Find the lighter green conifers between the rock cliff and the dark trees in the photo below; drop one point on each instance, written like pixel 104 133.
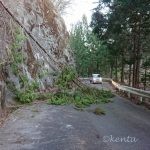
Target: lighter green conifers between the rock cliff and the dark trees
pixel 90 52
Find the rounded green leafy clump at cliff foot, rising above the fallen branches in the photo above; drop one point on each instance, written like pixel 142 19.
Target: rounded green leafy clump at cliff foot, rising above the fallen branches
pixel 65 78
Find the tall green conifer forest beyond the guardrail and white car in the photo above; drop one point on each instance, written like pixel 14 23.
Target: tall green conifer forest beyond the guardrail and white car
pixel 116 44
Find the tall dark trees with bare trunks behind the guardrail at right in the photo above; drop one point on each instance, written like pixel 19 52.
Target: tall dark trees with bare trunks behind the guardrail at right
pixel 124 29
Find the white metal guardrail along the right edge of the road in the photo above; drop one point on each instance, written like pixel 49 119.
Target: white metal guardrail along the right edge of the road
pixel 129 90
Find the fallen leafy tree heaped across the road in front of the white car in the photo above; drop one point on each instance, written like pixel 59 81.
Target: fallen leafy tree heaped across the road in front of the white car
pixel 71 93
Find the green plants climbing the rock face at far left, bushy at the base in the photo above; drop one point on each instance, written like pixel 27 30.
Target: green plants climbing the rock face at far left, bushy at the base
pixel 28 90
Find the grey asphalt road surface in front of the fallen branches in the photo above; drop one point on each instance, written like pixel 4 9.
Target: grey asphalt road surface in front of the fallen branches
pixel 44 127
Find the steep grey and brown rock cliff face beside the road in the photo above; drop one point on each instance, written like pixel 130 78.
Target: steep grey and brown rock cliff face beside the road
pixel 46 37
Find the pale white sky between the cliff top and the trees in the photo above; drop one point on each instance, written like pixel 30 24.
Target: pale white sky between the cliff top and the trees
pixel 77 9
